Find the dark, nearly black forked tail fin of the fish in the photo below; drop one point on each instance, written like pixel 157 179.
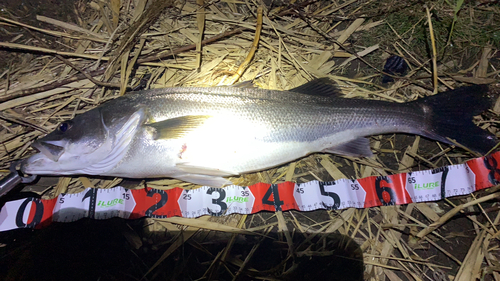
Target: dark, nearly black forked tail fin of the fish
pixel 449 115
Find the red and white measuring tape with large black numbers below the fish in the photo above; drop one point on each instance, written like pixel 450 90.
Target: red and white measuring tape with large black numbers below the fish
pixel 404 188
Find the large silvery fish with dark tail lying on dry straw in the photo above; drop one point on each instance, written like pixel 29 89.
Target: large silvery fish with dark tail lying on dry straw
pixel 204 134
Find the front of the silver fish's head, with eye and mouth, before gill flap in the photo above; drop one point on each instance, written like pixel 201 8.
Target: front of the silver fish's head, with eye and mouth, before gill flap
pixel 73 145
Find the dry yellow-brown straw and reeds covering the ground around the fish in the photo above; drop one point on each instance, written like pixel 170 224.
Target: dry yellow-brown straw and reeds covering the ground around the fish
pixel 116 45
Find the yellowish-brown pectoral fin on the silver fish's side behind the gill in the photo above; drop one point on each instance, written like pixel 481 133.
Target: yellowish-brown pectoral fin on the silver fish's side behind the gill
pixel 176 127
